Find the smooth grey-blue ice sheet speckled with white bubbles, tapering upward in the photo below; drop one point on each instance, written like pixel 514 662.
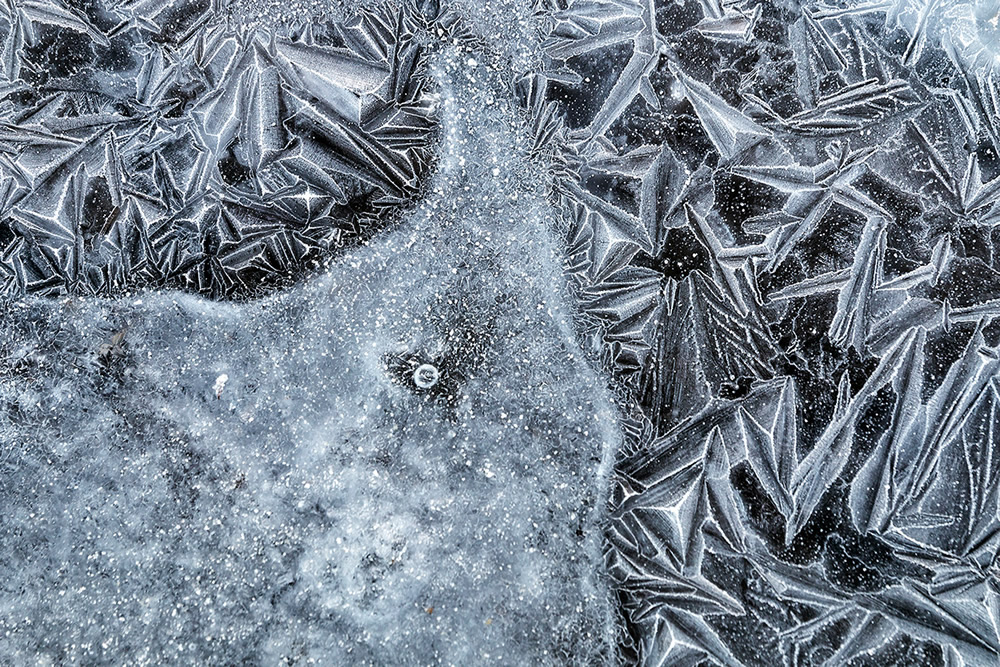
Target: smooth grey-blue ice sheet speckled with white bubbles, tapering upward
pixel 263 483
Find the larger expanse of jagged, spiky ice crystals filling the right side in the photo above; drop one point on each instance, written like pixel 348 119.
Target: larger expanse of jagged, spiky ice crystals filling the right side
pixel 784 216
